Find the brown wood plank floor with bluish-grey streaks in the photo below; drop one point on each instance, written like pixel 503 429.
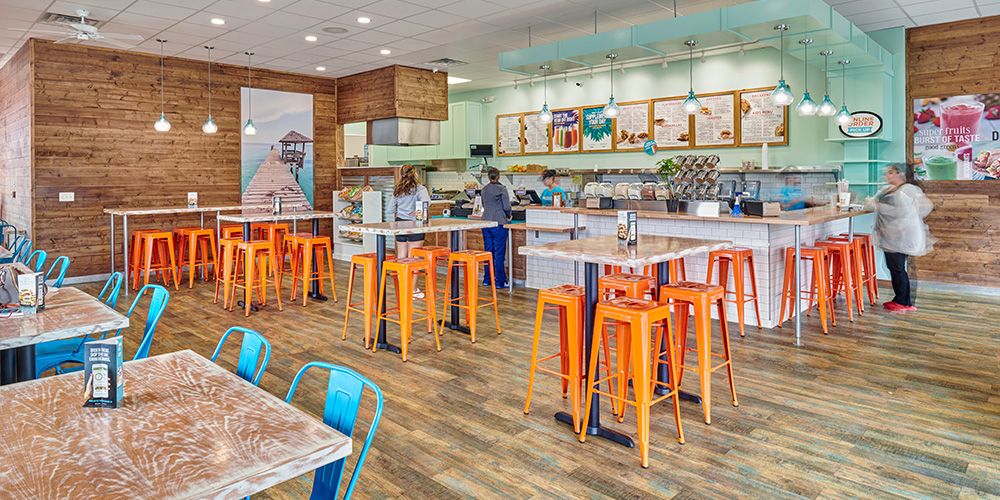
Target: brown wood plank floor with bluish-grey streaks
pixel 892 405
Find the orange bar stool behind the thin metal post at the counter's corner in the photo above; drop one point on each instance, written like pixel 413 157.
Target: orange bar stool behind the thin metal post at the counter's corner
pixel 819 288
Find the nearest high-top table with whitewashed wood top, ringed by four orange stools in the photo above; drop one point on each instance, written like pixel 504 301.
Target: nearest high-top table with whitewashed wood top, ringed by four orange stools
pixel 593 252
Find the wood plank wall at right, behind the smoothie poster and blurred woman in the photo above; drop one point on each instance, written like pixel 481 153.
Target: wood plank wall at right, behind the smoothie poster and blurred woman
pixel 944 60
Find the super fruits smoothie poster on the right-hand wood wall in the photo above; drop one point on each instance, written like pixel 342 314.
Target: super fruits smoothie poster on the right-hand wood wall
pixel 957 137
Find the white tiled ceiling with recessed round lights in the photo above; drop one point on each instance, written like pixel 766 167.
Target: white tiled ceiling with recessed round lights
pixel 416 31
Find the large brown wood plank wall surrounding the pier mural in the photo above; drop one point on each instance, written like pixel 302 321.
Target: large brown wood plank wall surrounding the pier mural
pixel 93 135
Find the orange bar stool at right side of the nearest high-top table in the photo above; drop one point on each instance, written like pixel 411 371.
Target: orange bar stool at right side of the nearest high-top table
pixel 701 296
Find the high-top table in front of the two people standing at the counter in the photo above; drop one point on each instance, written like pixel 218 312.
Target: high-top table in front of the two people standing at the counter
pixel 383 229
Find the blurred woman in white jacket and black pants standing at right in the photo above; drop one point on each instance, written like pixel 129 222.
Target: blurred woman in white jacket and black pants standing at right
pixel 900 230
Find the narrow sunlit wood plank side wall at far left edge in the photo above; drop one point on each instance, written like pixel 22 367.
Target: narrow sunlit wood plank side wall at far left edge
pixel 15 140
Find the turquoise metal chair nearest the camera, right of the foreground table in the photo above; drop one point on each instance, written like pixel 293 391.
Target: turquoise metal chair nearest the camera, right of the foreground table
pixel 343 395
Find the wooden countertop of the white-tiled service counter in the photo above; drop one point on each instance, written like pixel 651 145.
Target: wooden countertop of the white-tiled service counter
pixel 804 217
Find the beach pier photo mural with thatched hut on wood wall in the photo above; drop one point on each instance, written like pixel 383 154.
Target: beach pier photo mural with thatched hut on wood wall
pixel 278 159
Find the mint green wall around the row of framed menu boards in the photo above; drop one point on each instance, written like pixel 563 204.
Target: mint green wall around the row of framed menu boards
pixel 758 68
